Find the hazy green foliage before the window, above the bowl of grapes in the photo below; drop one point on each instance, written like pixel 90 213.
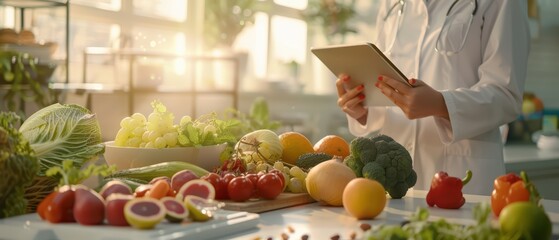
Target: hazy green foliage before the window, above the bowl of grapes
pixel 225 19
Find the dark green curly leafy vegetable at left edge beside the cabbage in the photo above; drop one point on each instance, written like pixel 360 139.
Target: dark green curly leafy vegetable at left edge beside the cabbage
pixel 18 167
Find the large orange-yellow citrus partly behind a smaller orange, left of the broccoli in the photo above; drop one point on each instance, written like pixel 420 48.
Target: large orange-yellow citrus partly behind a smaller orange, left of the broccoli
pixel 326 181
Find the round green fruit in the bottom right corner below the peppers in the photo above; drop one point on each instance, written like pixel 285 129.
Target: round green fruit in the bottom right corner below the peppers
pixel 525 220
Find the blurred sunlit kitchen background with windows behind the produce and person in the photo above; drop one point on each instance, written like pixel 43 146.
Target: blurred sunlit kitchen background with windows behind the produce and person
pixel 116 56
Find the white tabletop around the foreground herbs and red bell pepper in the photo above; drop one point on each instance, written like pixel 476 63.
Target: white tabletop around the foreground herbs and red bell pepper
pixel 323 222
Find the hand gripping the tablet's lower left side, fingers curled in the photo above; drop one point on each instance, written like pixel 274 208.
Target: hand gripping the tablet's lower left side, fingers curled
pixel 351 100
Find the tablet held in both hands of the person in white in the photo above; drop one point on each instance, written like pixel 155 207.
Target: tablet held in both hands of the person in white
pixel 364 62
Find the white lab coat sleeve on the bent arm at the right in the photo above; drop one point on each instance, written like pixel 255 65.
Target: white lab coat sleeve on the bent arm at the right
pixel 497 98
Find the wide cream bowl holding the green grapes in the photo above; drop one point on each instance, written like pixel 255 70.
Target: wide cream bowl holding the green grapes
pixel 206 157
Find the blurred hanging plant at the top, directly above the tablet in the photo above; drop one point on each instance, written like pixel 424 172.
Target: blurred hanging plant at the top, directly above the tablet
pixel 333 16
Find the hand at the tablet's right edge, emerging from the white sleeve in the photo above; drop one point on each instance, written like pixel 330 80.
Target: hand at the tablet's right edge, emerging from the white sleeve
pixel 416 102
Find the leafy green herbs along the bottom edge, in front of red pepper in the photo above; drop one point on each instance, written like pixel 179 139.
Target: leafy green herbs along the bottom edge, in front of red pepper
pixel 420 227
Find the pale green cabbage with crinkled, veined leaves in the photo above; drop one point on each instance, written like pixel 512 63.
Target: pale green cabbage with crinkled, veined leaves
pixel 63 132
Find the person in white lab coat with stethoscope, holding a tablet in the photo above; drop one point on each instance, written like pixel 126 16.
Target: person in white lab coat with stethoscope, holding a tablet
pixel 467 62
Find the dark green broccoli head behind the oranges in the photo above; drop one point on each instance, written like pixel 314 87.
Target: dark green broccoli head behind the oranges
pixel 391 166
